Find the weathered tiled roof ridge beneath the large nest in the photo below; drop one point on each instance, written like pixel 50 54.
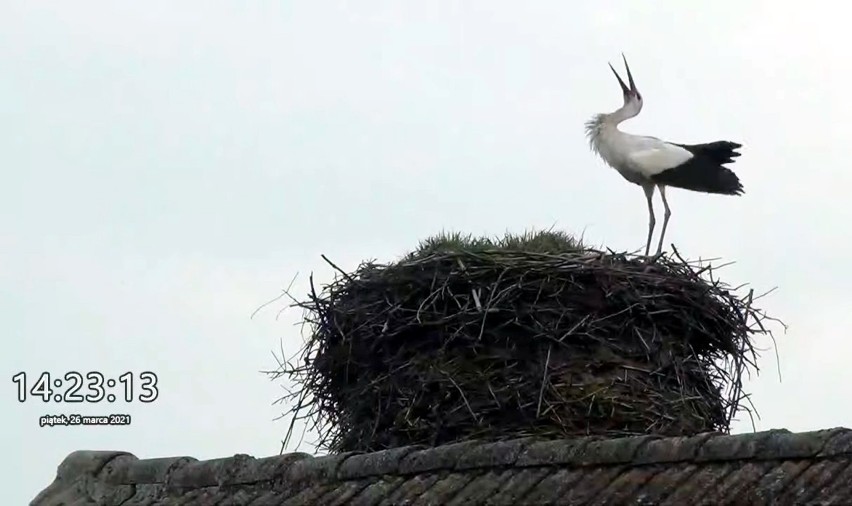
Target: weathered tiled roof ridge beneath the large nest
pixel 773 467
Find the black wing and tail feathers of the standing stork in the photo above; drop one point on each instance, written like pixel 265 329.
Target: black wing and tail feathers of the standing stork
pixel 704 172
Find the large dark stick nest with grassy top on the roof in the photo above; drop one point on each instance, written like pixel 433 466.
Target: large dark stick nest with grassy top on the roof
pixel 529 336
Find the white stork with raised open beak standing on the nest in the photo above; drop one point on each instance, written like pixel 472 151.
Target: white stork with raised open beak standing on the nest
pixel 653 163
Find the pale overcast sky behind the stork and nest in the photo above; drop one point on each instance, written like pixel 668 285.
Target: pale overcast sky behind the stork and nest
pixel 167 167
